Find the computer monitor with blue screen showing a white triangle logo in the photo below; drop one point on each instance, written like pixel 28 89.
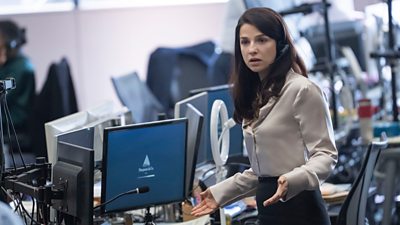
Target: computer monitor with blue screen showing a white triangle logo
pixel 151 154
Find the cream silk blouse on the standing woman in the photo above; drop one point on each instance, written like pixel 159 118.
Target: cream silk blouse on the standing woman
pixel 293 137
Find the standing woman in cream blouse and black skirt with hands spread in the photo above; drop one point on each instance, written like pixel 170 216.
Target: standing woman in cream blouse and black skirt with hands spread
pixel 286 125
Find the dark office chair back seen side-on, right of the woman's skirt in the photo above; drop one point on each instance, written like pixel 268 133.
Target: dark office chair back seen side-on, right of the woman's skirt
pixel 353 210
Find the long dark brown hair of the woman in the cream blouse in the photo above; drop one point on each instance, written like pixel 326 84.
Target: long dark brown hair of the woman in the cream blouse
pixel 249 92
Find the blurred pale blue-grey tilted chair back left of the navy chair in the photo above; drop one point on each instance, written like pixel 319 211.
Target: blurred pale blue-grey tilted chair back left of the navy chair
pixel 137 97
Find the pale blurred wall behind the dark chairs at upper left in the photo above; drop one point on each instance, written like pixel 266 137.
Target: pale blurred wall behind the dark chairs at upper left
pixel 103 43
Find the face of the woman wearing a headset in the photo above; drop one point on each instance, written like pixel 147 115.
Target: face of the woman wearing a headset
pixel 258 50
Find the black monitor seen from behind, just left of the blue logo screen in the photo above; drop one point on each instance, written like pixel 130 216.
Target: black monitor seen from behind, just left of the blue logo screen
pixel 73 175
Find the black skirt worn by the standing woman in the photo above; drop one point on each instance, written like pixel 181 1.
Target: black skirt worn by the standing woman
pixel 306 208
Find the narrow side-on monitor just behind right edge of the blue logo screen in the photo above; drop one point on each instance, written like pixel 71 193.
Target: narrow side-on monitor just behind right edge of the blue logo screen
pixel 195 125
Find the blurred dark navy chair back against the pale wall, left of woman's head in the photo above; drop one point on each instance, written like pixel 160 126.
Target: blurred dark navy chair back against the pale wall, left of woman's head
pixel 173 72
